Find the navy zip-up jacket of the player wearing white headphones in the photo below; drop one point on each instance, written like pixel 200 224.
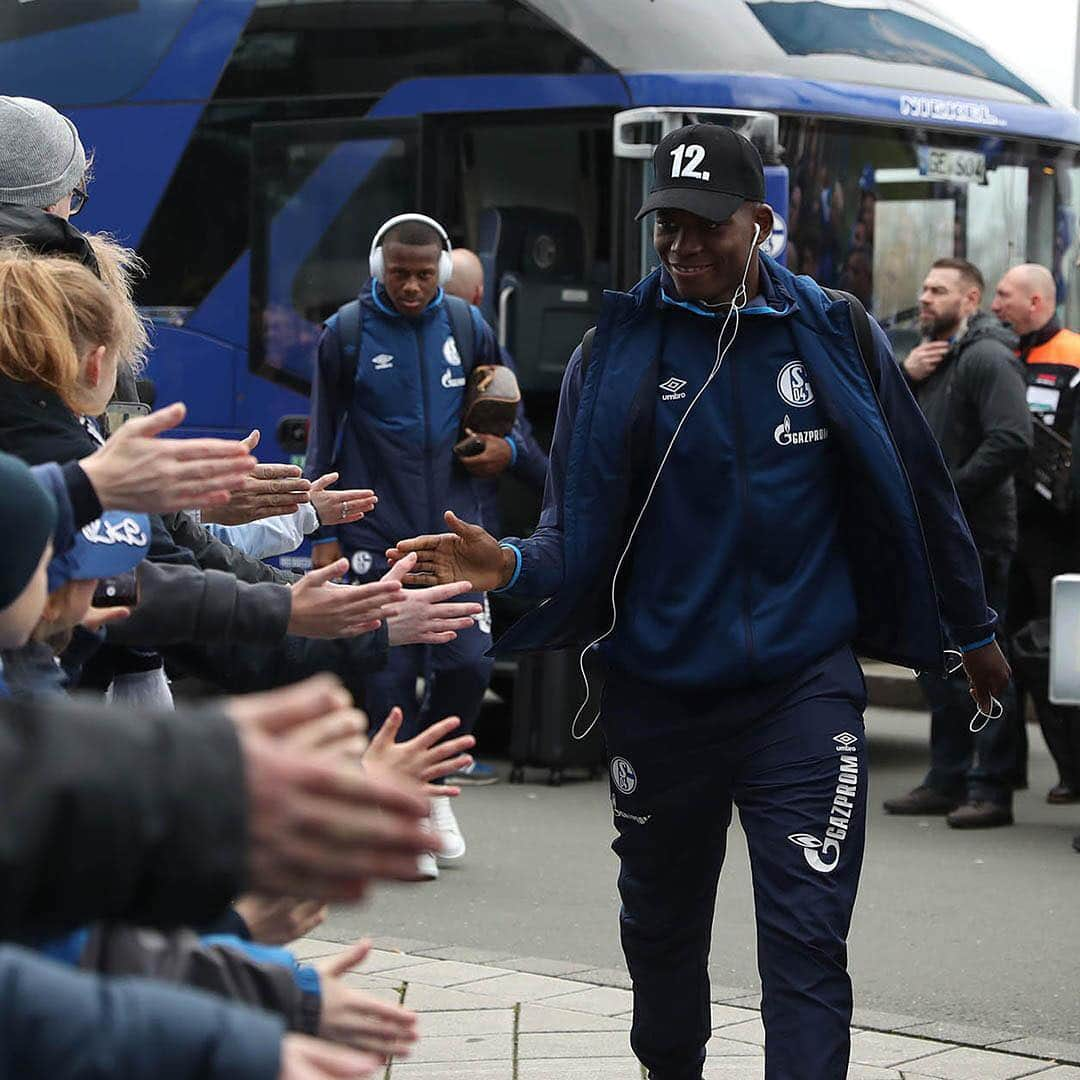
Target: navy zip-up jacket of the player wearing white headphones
pixel 396 433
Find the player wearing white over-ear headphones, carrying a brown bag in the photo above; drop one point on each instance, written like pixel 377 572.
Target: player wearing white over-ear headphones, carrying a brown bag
pixel 388 400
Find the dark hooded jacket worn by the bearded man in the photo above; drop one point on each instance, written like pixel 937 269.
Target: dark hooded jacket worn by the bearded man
pixel 976 404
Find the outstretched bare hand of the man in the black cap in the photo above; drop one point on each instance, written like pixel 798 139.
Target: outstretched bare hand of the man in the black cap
pixel 466 553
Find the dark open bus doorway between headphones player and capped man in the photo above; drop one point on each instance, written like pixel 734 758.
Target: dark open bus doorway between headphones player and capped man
pixel 531 197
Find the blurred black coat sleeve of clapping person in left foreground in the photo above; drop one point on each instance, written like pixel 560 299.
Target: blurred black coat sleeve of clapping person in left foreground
pixel 105 816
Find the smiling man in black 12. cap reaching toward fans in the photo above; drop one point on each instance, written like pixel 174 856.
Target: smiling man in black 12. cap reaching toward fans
pixel 802 509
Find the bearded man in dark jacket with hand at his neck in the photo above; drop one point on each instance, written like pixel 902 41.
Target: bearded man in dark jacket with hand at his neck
pixel 968 384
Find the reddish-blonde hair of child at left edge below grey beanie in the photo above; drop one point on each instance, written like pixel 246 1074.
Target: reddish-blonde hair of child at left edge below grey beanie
pixel 52 309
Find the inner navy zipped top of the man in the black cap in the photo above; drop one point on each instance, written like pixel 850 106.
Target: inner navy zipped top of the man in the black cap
pixel 757 480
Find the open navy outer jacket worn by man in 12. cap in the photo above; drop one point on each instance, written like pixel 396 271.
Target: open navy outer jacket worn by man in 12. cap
pixel 914 569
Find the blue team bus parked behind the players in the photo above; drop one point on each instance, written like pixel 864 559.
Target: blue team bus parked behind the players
pixel 250 150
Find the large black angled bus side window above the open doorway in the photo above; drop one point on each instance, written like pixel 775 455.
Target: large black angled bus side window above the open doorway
pixel 320 60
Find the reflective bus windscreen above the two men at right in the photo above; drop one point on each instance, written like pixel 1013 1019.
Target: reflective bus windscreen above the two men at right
pixel 871 208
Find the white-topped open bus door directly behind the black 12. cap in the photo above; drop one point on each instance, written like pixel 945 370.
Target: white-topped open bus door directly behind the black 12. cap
pixel 637 133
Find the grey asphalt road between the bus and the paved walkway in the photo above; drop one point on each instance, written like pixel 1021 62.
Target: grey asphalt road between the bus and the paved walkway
pixel 979 928
